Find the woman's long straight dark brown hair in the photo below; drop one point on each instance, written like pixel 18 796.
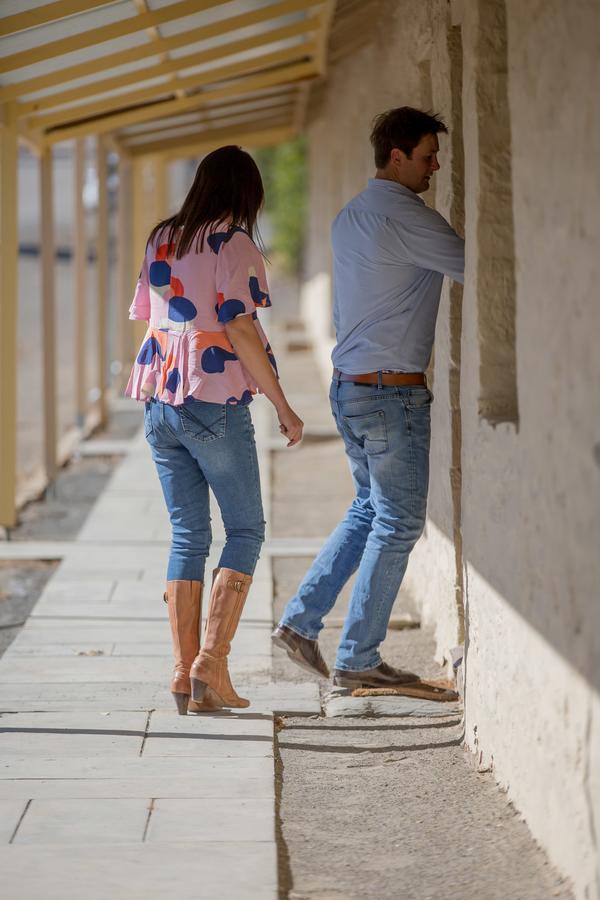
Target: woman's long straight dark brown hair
pixel 227 186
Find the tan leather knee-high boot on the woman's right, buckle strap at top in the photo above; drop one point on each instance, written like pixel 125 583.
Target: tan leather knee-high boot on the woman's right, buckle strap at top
pixel 209 669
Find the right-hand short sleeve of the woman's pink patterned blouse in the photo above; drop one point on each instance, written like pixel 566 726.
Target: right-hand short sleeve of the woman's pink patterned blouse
pixel 241 280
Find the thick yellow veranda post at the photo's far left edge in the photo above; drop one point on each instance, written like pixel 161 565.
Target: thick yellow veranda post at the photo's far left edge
pixel 8 315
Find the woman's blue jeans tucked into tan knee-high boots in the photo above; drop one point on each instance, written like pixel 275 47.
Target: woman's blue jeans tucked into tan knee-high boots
pixel 197 446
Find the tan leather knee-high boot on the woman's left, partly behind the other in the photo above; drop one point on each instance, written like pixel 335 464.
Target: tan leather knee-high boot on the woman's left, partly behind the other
pixel 184 599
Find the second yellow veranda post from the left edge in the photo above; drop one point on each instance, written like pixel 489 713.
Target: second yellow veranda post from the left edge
pixel 48 312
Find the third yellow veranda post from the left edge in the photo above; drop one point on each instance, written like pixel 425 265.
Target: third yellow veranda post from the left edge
pixel 80 259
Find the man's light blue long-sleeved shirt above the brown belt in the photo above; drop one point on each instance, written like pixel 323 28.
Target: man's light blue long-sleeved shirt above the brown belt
pixel 390 254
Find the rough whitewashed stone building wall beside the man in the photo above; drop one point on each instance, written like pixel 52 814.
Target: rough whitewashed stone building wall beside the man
pixel 509 563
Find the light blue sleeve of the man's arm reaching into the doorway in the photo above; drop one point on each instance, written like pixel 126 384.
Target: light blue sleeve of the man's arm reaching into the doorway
pixel 432 244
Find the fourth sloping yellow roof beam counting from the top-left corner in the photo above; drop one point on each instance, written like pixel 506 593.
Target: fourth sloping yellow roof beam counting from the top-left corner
pixel 306 26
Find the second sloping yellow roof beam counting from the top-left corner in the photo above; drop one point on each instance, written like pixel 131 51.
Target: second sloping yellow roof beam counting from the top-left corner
pixel 95 36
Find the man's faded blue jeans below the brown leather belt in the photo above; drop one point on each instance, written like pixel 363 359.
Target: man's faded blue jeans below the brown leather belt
pixel 386 432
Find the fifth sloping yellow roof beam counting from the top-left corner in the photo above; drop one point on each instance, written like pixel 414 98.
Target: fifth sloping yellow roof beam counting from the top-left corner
pixel 126 101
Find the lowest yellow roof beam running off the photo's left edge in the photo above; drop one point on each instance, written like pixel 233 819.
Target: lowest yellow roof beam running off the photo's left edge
pixel 134 54
